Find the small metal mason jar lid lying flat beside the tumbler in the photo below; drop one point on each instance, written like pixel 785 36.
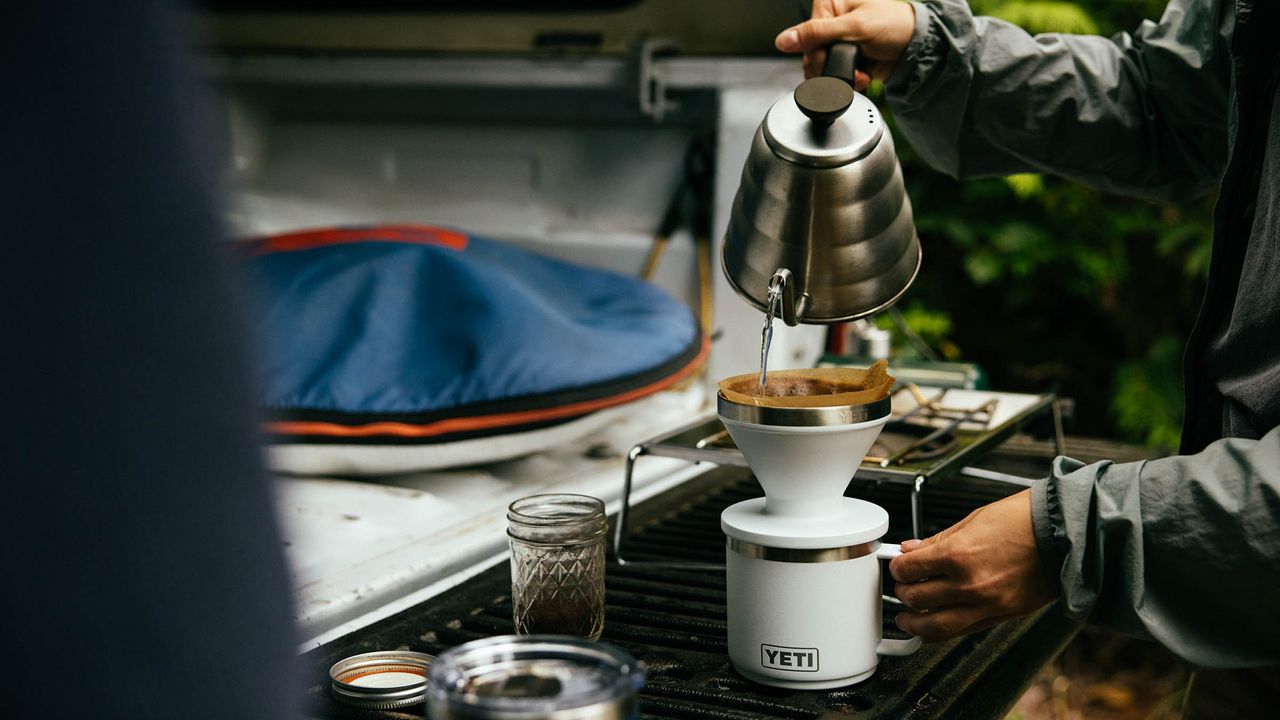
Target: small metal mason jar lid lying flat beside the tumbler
pixel 381 681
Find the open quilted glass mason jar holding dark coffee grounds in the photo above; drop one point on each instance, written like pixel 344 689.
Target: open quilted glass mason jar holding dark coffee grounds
pixel 557 564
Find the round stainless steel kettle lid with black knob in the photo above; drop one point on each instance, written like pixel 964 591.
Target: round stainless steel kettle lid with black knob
pixel 804 136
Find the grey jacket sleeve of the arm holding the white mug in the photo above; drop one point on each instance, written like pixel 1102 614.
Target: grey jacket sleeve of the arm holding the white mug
pixel 1183 550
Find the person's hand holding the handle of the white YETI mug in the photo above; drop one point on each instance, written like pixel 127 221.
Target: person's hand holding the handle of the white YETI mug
pixel 981 572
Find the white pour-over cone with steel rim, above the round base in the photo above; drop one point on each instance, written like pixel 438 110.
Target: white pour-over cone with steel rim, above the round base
pixel 804 468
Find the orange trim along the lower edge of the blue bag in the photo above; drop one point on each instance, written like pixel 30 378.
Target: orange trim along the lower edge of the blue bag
pixel 484 422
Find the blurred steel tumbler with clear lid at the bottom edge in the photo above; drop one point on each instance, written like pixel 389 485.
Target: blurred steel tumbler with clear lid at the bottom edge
pixel 543 677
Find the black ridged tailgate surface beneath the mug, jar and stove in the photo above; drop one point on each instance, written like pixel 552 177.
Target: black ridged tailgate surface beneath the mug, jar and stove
pixel 674 621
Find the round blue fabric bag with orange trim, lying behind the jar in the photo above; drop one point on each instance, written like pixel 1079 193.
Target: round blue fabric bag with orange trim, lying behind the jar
pixel 422 335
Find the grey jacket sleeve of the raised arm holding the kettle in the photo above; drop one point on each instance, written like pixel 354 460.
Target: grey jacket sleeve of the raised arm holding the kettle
pixel 1141 115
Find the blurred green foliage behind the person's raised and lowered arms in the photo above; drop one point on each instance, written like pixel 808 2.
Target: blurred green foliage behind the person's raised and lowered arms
pixel 1054 286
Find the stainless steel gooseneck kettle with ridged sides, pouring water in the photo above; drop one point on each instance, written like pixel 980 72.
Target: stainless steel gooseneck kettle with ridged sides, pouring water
pixel 821 216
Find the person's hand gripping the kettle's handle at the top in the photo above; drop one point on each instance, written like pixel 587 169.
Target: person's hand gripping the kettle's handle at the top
pixel 881 29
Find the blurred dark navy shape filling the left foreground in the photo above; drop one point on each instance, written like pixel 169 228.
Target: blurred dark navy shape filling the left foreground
pixel 145 571
